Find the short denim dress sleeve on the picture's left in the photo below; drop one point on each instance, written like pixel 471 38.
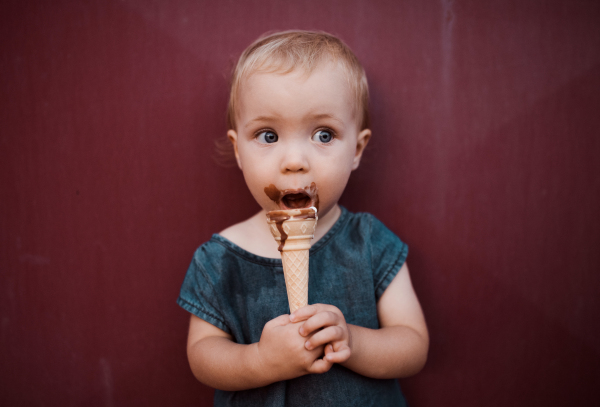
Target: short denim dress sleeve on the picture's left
pixel 198 294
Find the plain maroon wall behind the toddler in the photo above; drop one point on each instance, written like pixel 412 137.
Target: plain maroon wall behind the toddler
pixel 484 159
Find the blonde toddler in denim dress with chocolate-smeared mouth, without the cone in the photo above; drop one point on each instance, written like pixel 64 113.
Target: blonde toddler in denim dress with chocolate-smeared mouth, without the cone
pixel 298 122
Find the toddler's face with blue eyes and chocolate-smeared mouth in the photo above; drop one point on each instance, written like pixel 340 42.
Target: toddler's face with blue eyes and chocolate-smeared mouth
pixel 296 131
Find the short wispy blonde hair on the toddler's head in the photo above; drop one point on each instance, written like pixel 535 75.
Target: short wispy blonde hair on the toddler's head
pixel 289 50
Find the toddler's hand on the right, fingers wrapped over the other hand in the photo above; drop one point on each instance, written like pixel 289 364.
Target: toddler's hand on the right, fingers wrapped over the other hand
pixel 325 325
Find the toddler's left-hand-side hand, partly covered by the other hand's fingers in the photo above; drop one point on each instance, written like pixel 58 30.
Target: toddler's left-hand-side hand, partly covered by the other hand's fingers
pixel 282 351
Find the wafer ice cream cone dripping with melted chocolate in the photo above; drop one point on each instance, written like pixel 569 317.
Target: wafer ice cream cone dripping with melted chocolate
pixel 294 229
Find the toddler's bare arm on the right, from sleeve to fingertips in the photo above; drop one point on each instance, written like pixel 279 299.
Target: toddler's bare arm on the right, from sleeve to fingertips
pixel 398 349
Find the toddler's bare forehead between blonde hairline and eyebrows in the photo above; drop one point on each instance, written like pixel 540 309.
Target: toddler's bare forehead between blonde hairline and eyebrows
pixel 298 93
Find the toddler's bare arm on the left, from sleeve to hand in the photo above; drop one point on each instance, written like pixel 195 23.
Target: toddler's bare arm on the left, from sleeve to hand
pixel 280 354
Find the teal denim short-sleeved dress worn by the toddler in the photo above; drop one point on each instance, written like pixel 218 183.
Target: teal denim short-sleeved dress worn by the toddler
pixel 239 292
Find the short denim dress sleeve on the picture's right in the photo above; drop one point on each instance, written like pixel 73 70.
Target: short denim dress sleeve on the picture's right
pixel 388 254
